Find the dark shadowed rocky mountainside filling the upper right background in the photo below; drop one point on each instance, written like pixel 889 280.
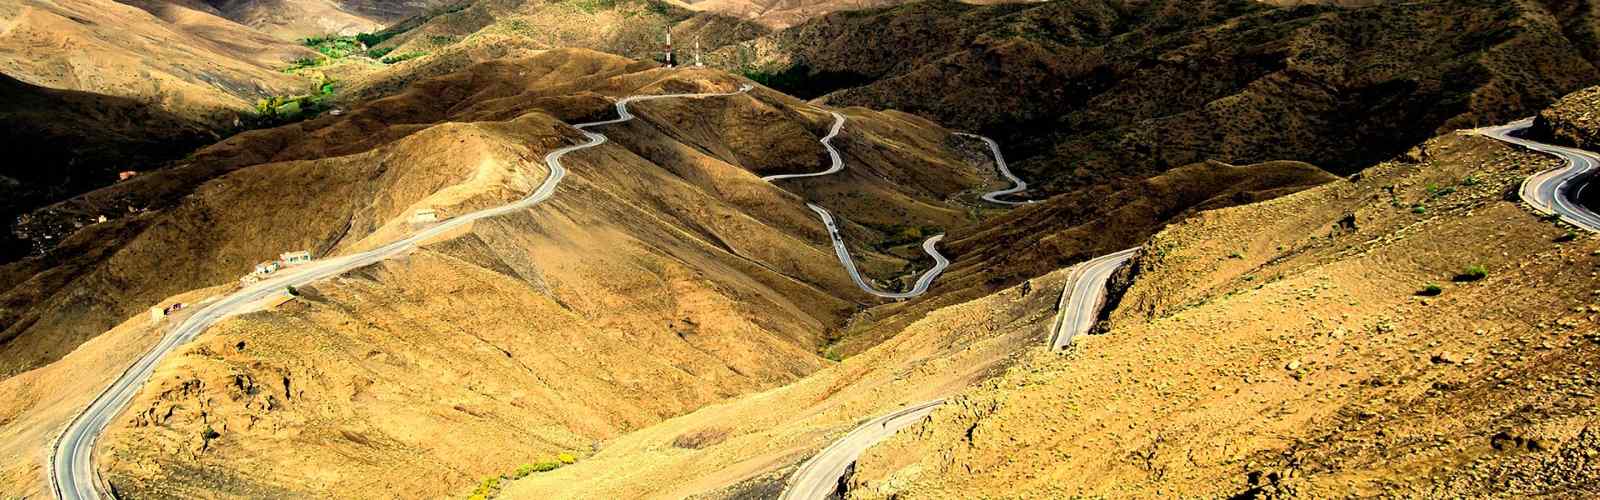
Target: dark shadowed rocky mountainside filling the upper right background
pixel 1090 91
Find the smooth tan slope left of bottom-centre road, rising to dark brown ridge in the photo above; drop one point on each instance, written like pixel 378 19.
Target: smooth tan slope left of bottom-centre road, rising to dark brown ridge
pixel 897 355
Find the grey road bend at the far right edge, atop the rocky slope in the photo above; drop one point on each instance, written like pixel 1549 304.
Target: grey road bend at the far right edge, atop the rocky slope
pixel 1558 190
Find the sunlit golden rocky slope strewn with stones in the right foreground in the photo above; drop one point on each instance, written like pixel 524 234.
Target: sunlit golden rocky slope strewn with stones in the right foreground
pixel 1407 334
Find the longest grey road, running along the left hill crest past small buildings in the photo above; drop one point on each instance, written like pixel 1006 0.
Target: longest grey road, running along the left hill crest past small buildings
pixel 73 472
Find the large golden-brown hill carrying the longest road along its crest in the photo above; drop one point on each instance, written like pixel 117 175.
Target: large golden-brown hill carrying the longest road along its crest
pixel 662 278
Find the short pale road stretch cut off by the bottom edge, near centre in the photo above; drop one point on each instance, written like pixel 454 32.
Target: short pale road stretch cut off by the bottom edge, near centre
pixel 820 477
